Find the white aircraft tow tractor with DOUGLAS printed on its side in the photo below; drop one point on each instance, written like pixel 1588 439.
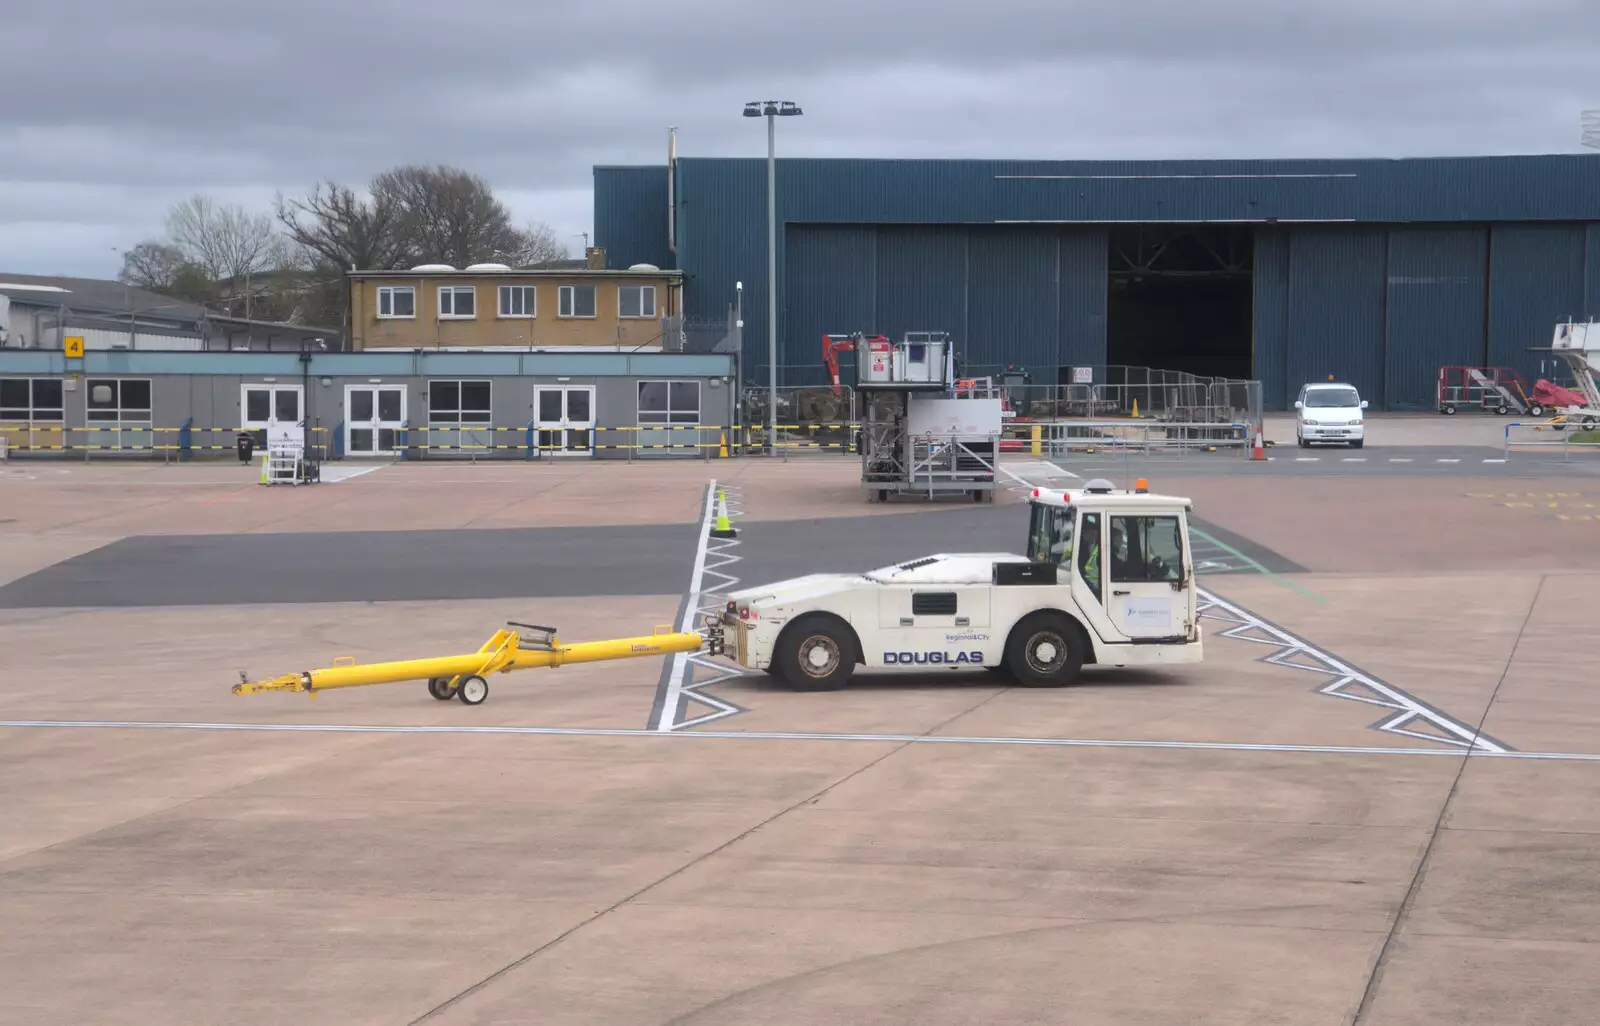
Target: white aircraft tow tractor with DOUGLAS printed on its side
pixel 1108 580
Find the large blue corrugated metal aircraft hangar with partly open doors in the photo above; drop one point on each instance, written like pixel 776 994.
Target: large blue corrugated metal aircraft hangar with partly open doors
pixel 1372 271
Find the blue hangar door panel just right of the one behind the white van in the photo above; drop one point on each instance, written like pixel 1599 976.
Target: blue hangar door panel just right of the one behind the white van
pixel 1434 310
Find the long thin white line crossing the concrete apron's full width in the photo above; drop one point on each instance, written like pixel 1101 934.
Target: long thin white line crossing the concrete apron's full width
pixel 778 735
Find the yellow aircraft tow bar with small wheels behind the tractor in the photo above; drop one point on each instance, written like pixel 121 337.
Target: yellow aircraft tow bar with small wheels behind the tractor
pixel 465 676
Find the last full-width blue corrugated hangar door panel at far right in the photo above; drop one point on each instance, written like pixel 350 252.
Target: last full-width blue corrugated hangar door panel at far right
pixel 1537 279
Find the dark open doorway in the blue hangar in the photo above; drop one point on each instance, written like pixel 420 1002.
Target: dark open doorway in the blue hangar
pixel 1182 299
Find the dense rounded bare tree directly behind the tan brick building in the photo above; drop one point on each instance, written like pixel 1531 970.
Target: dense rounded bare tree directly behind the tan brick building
pixel 449 217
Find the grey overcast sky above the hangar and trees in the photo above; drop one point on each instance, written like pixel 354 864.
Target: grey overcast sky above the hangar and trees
pixel 118 108
